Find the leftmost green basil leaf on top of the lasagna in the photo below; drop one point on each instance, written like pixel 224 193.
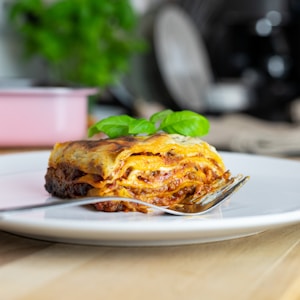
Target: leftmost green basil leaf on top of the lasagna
pixel 113 126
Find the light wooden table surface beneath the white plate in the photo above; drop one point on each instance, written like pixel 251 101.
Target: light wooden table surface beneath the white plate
pixel 262 266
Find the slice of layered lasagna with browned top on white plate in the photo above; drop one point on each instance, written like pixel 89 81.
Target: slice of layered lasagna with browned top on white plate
pixel 162 169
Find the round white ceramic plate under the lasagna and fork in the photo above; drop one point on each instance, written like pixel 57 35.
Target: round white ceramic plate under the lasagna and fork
pixel 270 199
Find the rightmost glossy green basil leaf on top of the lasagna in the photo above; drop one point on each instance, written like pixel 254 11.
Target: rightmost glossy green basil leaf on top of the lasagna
pixel 186 123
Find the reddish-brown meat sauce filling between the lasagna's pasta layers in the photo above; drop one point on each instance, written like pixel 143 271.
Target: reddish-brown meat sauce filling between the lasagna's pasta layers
pixel 60 182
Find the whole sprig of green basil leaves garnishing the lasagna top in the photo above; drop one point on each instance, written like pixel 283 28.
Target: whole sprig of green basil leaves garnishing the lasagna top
pixel 184 122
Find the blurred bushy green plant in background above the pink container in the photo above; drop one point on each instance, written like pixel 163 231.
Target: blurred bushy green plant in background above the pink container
pixel 82 43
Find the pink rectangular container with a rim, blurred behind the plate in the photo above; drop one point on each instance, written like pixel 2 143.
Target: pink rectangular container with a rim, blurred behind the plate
pixel 42 116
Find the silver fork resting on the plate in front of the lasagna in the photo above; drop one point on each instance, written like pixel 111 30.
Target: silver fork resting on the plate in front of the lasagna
pixel 196 206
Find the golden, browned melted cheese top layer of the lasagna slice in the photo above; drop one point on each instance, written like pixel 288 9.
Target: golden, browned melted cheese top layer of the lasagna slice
pixel 109 158
